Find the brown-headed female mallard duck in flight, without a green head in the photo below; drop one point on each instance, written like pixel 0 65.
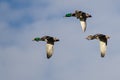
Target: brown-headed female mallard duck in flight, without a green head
pixel 103 41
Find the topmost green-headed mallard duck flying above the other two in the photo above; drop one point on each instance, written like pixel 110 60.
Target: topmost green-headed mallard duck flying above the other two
pixel 82 16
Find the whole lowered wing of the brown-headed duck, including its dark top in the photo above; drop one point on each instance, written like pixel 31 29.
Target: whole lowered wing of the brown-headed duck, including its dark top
pixel 103 46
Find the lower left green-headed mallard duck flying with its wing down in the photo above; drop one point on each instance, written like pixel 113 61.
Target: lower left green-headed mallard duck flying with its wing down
pixel 50 44
